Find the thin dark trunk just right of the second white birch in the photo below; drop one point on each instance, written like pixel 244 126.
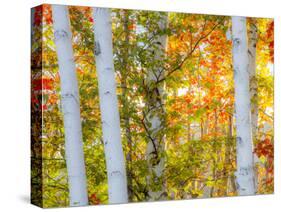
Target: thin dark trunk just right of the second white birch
pixel 126 103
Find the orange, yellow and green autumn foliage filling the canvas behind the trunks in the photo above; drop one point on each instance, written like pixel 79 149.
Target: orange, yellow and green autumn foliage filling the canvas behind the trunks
pixel 199 119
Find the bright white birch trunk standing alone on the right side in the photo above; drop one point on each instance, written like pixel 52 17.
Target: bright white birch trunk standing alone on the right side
pixel 245 169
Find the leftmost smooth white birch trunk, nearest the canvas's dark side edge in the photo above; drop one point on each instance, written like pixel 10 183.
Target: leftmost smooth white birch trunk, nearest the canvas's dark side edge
pixel 71 108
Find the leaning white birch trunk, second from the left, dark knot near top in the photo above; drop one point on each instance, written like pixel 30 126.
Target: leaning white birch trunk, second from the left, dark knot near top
pixel 115 163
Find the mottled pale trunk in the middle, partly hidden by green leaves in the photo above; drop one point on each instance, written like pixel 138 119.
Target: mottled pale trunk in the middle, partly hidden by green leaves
pixel 155 122
